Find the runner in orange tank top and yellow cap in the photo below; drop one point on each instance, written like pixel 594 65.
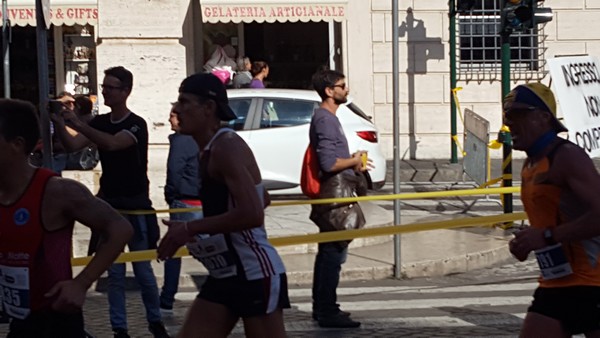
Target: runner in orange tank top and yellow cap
pixel 561 195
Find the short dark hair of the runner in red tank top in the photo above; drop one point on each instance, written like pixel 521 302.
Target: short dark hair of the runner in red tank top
pixel 19 119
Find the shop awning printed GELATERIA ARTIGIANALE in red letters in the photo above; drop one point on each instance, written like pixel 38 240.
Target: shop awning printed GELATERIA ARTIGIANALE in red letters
pixel 237 11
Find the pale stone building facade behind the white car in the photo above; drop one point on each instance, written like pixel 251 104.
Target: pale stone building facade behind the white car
pixel 163 41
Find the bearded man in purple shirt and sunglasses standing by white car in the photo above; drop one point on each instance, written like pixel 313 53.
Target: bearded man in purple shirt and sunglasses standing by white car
pixel 338 179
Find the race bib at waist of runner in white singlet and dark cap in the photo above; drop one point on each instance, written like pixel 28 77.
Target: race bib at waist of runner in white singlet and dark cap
pixel 213 253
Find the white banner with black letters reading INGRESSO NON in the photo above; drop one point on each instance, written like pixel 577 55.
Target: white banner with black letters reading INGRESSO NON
pixel 576 84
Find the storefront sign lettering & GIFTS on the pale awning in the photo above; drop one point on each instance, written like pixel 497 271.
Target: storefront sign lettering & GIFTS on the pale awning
pixel 62 15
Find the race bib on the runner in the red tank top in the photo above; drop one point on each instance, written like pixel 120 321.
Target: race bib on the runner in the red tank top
pixel 14 288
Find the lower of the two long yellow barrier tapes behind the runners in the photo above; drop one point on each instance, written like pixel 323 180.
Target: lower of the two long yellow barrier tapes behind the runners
pixel 148 255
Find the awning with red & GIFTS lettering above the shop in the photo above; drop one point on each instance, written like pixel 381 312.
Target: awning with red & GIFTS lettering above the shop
pixel 63 12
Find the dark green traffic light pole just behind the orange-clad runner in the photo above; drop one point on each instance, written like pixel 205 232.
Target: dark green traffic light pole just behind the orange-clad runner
pixel 505 136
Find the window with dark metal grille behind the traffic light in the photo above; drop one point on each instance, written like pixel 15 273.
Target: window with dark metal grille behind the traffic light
pixel 479 46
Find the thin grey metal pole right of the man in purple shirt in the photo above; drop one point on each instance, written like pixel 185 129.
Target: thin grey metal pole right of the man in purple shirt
pixel 396 131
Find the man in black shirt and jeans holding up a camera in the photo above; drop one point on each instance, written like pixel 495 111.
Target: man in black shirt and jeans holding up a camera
pixel 122 140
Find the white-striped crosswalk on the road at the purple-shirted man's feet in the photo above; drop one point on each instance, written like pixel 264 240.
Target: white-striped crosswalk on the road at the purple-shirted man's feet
pixel 427 307
